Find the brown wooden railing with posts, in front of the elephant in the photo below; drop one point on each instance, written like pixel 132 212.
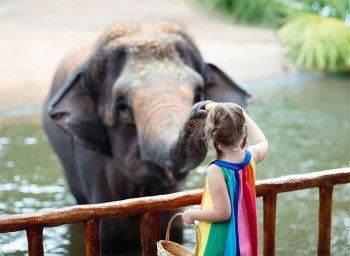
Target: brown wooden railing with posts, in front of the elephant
pixel 149 208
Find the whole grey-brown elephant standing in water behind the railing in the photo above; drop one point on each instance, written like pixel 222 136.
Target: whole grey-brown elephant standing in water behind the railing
pixel 126 115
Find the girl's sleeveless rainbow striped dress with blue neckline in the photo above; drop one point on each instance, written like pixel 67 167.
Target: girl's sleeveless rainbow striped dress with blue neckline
pixel 239 234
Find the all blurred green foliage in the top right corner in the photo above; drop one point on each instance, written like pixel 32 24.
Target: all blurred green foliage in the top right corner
pixel 314 33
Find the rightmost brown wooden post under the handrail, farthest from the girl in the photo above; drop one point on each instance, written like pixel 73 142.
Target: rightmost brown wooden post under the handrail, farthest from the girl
pixel 325 220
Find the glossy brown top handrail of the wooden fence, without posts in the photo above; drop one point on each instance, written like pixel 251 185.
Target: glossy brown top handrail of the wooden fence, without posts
pixel 136 206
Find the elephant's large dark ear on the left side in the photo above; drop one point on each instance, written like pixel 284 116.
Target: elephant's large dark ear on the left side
pixel 73 108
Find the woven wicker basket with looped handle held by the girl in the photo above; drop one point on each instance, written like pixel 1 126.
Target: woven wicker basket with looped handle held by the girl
pixel 168 248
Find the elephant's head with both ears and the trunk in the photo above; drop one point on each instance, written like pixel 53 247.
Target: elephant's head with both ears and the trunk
pixel 131 99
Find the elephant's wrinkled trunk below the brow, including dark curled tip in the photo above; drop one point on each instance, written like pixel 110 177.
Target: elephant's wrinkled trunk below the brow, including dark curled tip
pixel 171 134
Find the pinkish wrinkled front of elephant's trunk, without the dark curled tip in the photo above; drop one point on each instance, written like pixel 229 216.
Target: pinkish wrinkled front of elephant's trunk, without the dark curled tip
pixel 158 127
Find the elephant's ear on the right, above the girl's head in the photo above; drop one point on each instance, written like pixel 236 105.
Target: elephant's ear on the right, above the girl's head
pixel 221 88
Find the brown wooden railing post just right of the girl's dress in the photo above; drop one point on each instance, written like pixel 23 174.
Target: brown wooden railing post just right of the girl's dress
pixel 269 206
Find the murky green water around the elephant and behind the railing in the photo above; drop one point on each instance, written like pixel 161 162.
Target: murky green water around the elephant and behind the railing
pixel 308 126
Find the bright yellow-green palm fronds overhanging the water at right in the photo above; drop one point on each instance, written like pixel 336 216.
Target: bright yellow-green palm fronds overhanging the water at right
pixel 317 43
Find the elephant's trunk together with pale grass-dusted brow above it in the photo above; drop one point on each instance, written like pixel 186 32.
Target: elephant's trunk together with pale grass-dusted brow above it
pixel 169 129
